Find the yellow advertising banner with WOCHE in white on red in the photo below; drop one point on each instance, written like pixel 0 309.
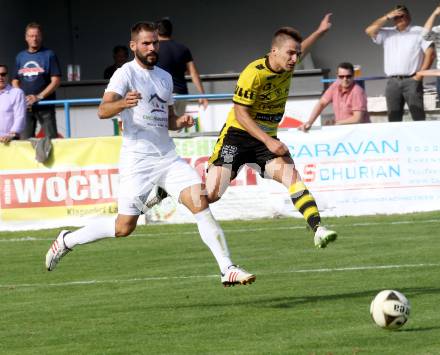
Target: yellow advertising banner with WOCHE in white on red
pixel 79 179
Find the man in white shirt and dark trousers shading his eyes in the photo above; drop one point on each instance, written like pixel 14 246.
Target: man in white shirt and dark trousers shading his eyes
pixel 405 53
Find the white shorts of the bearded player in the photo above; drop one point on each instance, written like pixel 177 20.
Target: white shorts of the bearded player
pixel 136 182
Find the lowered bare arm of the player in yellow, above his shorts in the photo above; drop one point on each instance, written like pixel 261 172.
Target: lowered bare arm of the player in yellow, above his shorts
pixel 245 119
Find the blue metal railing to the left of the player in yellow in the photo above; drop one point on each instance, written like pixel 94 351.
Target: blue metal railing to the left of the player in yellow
pixel 69 102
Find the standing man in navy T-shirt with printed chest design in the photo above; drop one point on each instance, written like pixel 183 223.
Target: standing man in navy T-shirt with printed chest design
pixel 38 73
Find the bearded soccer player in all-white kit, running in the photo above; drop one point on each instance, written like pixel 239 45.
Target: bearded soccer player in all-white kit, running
pixel 142 94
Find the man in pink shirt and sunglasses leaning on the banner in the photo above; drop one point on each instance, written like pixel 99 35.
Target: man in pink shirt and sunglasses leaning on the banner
pixel 349 100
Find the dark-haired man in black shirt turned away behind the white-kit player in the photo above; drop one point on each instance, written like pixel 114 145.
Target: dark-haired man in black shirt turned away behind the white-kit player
pixel 176 59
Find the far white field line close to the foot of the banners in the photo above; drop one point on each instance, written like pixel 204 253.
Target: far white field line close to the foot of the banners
pixel 239 230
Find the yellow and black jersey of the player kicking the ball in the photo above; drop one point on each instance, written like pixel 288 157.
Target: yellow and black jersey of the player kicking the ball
pixel 265 92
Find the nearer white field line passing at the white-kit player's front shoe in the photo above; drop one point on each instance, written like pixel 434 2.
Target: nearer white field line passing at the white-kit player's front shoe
pixel 168 278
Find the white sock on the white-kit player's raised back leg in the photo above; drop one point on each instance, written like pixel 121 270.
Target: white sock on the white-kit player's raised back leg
pixel 98 229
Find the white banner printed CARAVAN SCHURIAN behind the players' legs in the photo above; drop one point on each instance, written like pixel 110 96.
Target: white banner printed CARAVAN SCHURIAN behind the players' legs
pixel 351 170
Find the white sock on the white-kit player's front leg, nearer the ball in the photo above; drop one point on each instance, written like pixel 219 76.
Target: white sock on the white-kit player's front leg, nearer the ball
pixel 212 235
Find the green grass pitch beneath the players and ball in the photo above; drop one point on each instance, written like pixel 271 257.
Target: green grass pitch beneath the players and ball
pixel 159 291
